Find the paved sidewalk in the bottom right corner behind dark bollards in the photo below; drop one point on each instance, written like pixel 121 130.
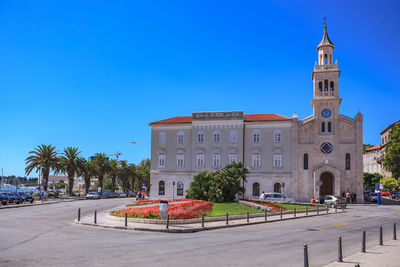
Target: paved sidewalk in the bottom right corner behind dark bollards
pixel 383 256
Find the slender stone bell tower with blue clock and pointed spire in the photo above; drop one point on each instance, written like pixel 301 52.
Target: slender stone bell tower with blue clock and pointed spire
pixel 325 78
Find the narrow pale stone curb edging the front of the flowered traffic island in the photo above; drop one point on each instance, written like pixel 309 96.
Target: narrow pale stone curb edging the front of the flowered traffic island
pixel 193 230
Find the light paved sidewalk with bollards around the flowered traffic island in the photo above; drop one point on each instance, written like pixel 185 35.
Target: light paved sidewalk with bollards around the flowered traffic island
pixel 103 221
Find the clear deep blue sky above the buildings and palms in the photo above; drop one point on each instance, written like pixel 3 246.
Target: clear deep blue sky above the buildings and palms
pixel 94 74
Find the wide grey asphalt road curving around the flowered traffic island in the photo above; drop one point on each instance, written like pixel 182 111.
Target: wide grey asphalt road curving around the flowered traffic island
pixel 47 236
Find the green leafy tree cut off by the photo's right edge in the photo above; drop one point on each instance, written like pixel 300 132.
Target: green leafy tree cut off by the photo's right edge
pixel 391 160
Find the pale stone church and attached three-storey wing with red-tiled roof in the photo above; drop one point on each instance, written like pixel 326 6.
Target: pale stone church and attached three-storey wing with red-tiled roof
pixel 301 158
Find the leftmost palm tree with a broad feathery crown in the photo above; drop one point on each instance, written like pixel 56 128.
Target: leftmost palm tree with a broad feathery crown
pixel 43 158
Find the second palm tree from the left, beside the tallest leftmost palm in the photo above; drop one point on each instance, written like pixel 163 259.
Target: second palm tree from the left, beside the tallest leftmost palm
pixel 70 165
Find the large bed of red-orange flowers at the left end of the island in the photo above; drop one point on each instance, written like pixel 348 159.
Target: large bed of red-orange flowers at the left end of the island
pixel 186 210
